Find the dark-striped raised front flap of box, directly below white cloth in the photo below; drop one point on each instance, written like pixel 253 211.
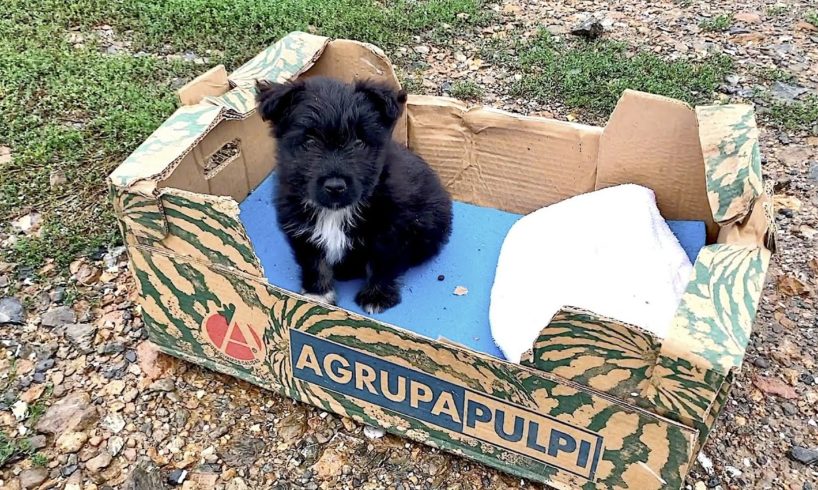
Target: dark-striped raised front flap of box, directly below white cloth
pixel 599 352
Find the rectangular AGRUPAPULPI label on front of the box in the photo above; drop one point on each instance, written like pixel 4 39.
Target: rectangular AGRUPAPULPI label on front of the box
pixel 427 398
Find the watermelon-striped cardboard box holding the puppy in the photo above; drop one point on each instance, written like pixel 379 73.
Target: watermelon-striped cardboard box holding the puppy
pixel 598 403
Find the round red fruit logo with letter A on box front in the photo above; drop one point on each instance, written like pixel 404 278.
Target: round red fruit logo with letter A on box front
pixel 236 341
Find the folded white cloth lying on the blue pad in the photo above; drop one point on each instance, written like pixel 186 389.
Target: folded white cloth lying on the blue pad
pixel 608 251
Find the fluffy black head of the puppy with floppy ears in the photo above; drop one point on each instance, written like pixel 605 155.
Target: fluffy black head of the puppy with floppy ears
pixel 332 136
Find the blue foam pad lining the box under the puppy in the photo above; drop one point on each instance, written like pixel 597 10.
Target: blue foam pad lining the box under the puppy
pixel 429 307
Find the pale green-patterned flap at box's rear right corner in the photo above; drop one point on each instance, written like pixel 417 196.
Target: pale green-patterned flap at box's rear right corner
pixel 729 142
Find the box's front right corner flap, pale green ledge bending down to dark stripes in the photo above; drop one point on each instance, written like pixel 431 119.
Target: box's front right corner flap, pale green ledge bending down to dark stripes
pixel 711 329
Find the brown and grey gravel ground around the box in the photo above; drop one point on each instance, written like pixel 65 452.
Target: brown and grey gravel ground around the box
pixel 101 408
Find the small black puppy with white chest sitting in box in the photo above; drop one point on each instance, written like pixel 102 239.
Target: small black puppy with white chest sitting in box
pixel 351 201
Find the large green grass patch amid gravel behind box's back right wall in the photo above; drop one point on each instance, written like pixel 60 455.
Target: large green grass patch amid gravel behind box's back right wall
pixel 592 76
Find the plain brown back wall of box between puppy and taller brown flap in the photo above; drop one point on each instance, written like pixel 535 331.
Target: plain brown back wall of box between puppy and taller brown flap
pixel 496 159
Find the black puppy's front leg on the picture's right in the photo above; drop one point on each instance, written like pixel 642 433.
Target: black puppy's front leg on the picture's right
pixel 382 290
